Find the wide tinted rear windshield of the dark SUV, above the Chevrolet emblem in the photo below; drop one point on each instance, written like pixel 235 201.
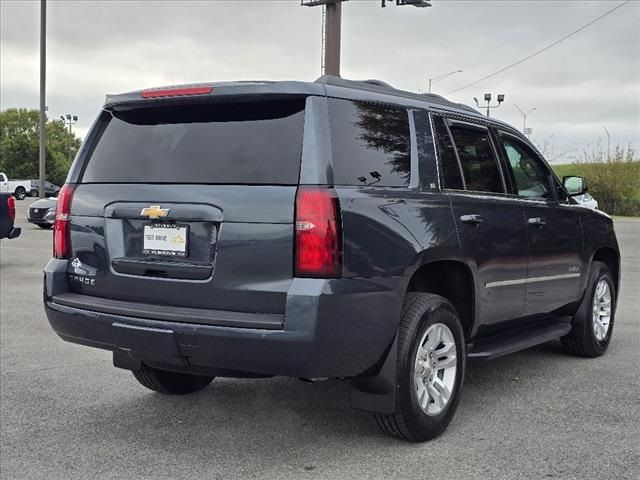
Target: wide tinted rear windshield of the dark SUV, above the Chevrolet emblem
pixel 245 143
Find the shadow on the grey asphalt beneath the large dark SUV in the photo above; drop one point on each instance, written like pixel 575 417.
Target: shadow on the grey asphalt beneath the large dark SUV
pixel 289 414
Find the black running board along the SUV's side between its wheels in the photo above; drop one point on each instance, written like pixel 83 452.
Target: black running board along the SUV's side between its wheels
pixel 505 344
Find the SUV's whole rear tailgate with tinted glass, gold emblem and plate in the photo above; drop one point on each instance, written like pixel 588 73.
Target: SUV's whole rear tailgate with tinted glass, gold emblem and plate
pixel 190 205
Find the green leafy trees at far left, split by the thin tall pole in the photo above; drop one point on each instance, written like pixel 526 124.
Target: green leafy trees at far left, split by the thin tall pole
pixel 19 146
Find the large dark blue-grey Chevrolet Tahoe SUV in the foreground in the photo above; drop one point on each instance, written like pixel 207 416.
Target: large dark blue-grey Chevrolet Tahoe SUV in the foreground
pixel 333 229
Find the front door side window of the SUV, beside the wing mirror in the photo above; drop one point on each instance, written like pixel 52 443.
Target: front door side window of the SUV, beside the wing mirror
pixel 531 176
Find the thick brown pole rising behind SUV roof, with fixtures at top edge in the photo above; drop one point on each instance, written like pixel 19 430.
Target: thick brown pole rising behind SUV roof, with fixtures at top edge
pixel 332 27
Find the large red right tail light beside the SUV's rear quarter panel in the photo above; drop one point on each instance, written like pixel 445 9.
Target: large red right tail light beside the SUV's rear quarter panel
pixel 318 235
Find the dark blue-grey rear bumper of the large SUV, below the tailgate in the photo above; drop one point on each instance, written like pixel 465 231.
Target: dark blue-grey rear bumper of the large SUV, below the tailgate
pixel 331 328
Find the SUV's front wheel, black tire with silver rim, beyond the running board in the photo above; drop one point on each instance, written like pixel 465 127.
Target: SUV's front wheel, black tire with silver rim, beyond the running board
pixel 587 337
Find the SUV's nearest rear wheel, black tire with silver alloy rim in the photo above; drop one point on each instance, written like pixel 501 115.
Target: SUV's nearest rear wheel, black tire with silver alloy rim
pixel 424 315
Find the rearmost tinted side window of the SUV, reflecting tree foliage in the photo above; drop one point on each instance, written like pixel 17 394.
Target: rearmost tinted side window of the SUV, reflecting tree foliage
pixel 371 143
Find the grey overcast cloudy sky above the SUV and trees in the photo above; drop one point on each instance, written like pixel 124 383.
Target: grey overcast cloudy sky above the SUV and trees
pixel 589 81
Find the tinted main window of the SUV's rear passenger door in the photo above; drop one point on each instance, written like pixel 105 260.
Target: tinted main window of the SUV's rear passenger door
pixel 479 165
